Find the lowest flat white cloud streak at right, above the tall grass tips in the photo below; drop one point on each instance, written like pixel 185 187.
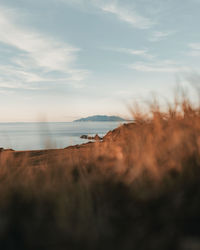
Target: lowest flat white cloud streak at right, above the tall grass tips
pixel 159 66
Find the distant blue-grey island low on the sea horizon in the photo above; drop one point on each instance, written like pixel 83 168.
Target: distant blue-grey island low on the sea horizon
pixel 101 118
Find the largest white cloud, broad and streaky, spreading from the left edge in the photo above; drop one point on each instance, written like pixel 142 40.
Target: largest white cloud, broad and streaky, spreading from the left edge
pixel 35 55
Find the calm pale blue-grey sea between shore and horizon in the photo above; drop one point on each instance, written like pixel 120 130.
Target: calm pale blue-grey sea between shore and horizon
pixel 32 136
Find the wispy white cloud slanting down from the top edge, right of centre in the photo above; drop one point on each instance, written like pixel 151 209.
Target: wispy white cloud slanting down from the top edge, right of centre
pixel 127 15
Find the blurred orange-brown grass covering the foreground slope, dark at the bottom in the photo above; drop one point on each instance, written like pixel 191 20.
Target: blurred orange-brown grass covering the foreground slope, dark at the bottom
pixel 139 189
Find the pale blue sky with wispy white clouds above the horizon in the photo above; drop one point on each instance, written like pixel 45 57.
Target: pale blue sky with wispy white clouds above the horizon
pixel 65 59
